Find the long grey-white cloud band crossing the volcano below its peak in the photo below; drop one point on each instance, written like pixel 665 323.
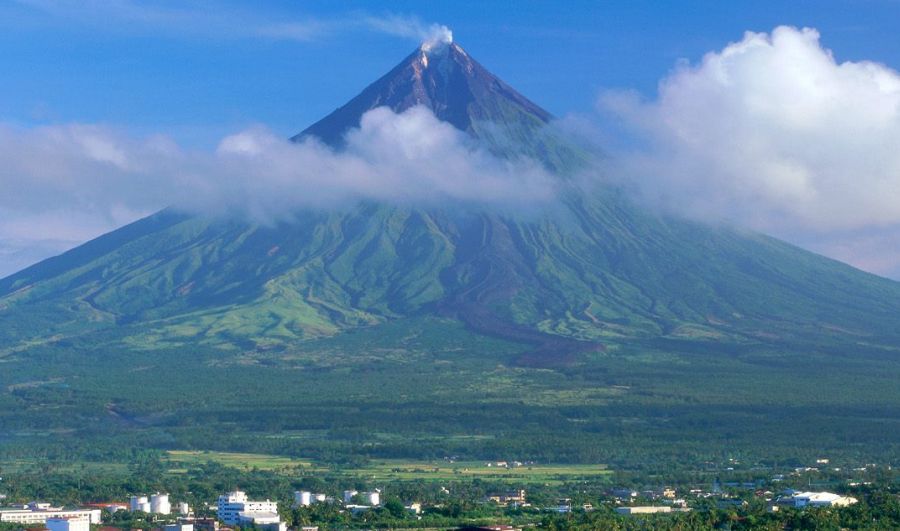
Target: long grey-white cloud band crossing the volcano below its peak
pixel 66 184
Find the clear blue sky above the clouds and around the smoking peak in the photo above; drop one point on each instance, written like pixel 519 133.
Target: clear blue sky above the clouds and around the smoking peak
pixel 200 70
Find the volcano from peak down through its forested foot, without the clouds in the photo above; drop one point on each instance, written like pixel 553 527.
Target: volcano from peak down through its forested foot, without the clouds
pixel 599 304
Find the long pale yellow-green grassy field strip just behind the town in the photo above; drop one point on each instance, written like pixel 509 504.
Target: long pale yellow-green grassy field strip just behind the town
pixel 392 469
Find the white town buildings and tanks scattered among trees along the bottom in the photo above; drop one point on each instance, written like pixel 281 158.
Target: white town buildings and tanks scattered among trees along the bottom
pixel 235 509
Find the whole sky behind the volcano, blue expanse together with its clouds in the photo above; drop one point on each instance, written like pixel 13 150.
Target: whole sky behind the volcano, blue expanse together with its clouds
pixel 106 105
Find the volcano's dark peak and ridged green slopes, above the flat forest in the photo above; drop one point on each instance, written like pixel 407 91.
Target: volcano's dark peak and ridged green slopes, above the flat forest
pixel 606 271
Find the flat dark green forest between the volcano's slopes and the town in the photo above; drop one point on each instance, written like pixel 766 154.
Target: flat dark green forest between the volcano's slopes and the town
pixel 431 389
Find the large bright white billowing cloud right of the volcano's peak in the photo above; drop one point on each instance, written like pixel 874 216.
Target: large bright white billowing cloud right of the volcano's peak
pixel 774 133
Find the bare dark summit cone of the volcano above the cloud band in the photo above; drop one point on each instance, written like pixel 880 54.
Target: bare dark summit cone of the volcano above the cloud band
pixel 444 78
